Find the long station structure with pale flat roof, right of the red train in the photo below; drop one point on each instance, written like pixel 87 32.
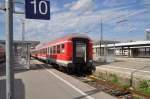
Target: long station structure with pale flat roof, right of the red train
pixel 134 49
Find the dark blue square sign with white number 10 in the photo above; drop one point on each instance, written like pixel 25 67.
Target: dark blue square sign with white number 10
pixel 37 9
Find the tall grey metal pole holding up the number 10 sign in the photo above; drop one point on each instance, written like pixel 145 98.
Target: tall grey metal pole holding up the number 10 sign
pixel 9 50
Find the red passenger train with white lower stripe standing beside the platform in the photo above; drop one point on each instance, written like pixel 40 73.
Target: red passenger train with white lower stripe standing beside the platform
pixel 74 53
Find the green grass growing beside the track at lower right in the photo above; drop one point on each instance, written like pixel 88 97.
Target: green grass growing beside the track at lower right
pixel 143 86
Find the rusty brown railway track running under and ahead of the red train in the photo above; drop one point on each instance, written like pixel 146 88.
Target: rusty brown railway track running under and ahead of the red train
pixel 108 87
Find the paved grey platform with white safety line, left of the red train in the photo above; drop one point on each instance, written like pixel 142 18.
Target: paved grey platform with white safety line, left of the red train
pixel 44 82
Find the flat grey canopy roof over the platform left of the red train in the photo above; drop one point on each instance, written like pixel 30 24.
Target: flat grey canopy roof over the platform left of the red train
pixel 18 42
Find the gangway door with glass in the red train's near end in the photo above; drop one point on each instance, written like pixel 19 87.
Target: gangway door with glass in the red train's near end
pixel 80 51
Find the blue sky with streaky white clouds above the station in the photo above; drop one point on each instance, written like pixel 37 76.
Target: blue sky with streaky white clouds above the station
pixel 122 20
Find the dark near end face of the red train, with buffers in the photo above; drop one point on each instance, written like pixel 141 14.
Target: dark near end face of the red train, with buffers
pixel 82 55
